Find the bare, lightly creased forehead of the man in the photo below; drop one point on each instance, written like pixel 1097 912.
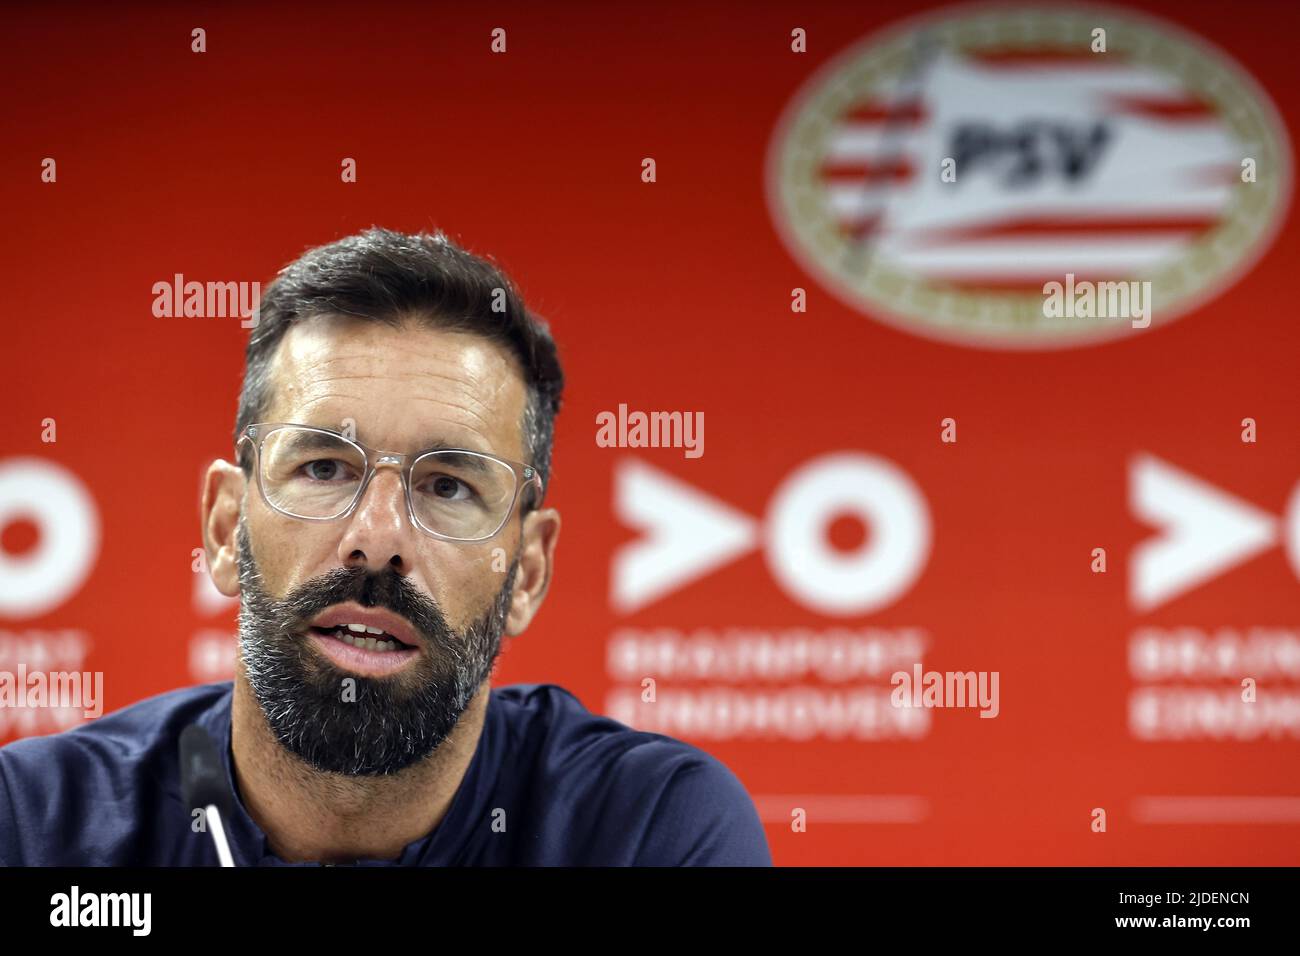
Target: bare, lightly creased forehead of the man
pixel 404 388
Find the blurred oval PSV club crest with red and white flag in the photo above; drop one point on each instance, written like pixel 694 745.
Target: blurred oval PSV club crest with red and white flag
pixel 938 176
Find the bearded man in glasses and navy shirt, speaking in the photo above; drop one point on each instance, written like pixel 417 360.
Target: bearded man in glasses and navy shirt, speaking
pixel 384 530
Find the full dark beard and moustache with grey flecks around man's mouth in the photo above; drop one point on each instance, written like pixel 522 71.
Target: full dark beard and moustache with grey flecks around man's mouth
pixel 371 726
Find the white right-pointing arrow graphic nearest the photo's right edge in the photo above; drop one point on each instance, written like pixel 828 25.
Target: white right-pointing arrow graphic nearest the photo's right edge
pixel 1206 531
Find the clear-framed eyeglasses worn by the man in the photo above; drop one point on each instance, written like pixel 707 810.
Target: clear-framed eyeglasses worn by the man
pixel 320 475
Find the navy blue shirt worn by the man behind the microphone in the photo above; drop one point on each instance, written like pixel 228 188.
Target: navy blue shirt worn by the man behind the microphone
pixel 577 789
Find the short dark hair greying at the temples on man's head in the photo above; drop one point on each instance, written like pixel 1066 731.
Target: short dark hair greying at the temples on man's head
pixel 387 276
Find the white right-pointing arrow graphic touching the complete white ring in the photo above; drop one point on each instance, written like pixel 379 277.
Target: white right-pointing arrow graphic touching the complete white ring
pixel 687 534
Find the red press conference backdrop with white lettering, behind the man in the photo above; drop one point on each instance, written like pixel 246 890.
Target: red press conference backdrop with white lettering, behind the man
pixel 677 295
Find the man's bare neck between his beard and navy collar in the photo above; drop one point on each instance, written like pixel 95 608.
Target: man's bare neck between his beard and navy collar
pixel 310 816
